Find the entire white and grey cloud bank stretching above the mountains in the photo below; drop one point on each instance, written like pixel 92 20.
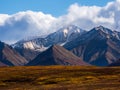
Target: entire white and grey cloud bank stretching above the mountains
pixel 29 23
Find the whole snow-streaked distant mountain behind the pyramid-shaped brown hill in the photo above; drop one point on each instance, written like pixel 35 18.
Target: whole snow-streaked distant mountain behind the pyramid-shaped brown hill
pixel 34 46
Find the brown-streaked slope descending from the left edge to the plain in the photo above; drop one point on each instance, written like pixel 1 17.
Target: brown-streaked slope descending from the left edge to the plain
pixel 10 57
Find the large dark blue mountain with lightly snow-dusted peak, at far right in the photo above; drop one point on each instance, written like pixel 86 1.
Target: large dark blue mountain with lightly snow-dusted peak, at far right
pixel 98 47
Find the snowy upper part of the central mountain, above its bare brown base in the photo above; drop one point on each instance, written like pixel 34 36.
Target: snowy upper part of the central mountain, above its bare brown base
pixel 60 37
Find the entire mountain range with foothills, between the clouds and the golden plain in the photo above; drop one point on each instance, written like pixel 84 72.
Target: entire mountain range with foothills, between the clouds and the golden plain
pixel 99 46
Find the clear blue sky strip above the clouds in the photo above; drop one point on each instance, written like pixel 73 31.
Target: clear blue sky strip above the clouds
pixel 54 7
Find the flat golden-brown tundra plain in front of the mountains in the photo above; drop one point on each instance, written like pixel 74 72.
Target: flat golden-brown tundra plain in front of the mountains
pixel 59 78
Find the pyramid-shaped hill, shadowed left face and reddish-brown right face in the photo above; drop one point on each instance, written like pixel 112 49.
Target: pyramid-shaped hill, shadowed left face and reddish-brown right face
pixel 57 55
